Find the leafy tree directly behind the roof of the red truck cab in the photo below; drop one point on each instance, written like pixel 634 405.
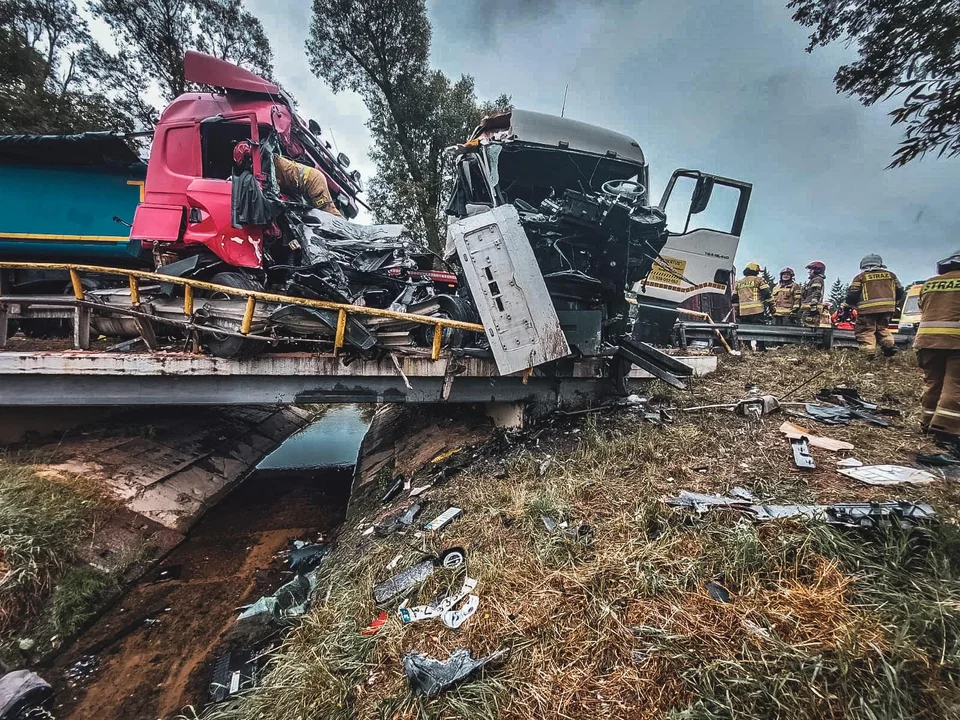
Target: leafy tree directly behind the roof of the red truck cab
pixel 153 35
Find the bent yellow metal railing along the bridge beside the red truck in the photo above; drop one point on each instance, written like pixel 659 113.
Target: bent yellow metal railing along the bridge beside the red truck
pixel 252 296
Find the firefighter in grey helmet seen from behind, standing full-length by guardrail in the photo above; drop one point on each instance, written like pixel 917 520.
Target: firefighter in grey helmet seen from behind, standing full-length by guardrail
pixel 875 293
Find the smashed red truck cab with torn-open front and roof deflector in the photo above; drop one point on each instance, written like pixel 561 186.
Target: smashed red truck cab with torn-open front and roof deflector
pixel 187 198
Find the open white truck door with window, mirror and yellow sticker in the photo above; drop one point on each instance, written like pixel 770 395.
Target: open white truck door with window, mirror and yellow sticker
pixel 705 215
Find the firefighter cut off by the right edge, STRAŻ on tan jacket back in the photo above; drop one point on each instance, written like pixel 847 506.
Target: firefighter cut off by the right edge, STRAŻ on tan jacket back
pixel 938 349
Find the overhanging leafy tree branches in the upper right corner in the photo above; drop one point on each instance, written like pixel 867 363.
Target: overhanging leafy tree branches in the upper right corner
pixel 907 49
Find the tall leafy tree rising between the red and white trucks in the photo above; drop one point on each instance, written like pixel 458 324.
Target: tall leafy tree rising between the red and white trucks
pixel 380 49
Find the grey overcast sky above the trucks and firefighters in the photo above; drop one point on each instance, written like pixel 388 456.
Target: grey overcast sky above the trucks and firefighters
pixel 722 87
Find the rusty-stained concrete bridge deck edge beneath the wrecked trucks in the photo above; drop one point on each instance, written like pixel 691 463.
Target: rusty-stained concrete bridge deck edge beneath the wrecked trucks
pixel 91 378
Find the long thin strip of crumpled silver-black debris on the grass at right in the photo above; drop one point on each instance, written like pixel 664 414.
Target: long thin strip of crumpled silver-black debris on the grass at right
pixel 865 514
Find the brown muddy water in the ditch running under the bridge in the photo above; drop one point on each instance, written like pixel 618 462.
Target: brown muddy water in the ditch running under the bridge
pixel 152 654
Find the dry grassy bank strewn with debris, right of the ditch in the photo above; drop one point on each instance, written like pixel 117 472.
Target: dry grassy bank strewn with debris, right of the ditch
pixel 820 624
